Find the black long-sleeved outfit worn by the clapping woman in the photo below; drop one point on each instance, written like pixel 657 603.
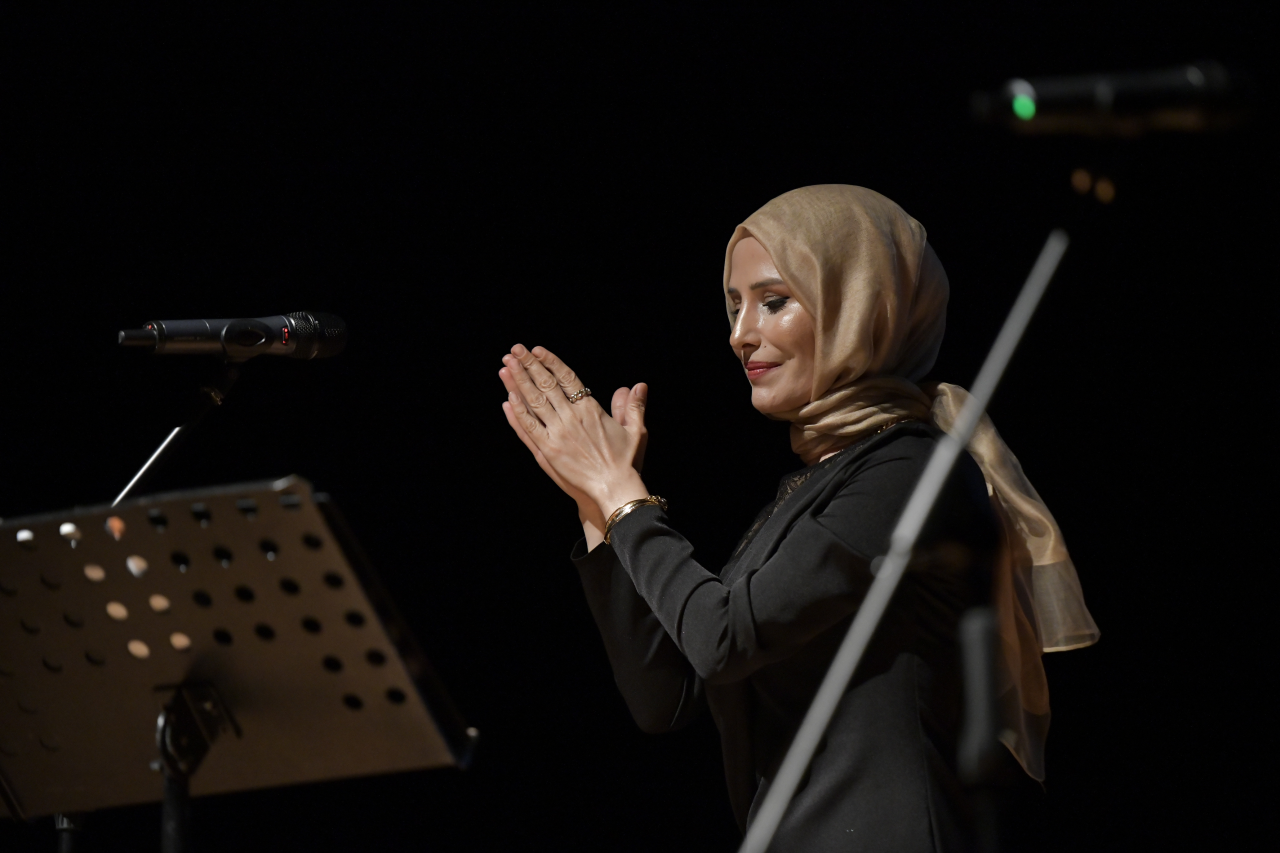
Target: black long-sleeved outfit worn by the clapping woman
pixel 753 644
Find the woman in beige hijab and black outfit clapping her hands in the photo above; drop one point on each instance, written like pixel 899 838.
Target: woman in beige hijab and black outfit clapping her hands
pixel 838 308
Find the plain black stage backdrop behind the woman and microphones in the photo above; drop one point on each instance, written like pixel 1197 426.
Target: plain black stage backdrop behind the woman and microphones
pixel 455 181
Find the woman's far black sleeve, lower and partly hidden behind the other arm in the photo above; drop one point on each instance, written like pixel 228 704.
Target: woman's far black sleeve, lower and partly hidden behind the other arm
pixel 660 687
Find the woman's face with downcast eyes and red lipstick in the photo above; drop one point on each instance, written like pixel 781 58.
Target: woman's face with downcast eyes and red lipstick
pixel 772 334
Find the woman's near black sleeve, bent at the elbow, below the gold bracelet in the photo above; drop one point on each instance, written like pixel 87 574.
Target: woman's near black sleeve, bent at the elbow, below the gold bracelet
pixel 819 574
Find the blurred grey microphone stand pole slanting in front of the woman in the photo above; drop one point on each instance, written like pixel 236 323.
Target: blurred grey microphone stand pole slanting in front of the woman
pixel 902 544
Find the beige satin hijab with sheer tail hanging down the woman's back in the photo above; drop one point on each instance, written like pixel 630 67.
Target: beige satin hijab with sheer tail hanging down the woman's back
pixel 877 294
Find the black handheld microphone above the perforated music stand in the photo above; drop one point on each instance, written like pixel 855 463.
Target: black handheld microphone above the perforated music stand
pixel 303 335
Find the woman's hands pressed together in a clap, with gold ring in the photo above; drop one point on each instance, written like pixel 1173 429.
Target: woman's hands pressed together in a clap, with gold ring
pixel 588 450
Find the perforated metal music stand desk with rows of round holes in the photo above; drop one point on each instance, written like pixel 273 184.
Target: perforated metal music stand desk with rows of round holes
pixel 285 619
